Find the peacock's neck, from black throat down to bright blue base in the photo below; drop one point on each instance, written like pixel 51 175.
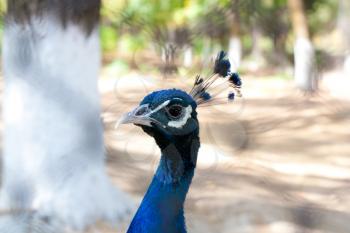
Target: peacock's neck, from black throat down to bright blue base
pixel 162 207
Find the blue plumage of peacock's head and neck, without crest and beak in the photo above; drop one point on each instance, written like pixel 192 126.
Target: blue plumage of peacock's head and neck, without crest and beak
pixel 161 209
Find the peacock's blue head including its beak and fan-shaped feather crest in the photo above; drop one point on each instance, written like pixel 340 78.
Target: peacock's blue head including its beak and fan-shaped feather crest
pixel 168 115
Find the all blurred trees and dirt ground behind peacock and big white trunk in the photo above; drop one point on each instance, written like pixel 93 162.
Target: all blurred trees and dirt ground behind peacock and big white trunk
pixel 277 160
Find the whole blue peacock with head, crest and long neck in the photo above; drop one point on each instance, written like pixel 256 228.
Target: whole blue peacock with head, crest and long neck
pixel 170 117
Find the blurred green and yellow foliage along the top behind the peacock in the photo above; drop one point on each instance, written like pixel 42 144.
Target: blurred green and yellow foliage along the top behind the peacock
pixel 132 26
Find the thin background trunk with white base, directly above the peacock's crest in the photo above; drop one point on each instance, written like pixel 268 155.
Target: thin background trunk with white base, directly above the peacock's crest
pixel 235 46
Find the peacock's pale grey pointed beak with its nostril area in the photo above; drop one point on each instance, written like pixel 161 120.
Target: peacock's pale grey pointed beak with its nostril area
pixel 140 116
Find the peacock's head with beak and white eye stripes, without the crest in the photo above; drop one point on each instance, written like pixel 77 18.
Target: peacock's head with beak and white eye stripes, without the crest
pixel 165 115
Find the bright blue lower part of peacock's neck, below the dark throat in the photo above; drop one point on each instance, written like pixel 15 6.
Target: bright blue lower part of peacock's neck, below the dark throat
pixel 162 207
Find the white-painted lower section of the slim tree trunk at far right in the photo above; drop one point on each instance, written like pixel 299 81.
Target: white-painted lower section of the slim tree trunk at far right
pixel 304 65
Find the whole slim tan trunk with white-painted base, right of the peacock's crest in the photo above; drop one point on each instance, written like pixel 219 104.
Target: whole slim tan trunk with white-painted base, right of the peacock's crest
pixel 304 54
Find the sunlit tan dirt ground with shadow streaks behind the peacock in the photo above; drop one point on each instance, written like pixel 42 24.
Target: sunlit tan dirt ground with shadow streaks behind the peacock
pixel 275 161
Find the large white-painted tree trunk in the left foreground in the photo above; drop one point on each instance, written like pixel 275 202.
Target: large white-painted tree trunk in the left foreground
pixel 53 156
